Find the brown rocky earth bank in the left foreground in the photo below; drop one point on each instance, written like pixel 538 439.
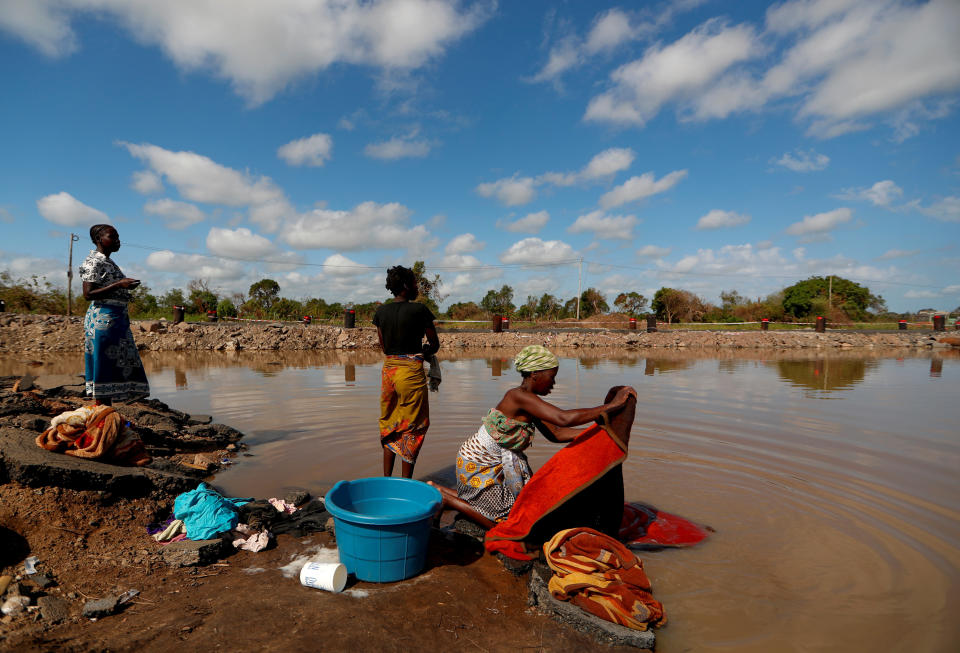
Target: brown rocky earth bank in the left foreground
pixel 84 524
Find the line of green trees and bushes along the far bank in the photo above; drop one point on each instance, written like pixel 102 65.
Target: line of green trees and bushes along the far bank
pixel 836 298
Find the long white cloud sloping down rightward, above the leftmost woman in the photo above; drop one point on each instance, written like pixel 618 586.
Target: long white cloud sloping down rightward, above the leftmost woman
pixel 200 179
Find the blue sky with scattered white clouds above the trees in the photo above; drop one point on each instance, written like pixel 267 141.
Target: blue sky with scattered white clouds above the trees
pixel 693 144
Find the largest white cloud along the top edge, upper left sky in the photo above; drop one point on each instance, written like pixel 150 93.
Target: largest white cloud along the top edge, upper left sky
pixel 261 47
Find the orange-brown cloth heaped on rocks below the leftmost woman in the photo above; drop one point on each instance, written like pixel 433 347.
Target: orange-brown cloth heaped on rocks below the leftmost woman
pixel 95 432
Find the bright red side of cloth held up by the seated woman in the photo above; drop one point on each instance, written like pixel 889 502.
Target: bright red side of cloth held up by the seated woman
pixel 569 471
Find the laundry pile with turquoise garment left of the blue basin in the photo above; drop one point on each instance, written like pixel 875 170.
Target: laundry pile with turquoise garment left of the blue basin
pixel 204 513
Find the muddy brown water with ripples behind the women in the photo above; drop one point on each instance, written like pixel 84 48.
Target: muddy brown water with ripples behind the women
pixel 833 482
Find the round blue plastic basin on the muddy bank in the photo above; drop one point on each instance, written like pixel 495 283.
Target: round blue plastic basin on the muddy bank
pixel 383 526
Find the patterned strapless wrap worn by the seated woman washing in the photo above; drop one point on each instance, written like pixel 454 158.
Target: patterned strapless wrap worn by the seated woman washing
pixel 491 465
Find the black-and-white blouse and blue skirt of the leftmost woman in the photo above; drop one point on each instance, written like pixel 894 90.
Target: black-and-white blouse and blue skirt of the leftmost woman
pixel 112 365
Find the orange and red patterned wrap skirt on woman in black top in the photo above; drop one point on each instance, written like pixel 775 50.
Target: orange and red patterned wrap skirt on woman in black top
pixel 404 409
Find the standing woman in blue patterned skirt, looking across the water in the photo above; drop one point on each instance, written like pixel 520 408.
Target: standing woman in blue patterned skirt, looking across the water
pixel 113 368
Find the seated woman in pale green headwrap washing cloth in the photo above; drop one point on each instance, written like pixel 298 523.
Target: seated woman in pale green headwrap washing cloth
pixel 491 466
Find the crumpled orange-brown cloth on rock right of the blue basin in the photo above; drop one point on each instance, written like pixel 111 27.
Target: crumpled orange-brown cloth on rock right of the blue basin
pixel 600 575
